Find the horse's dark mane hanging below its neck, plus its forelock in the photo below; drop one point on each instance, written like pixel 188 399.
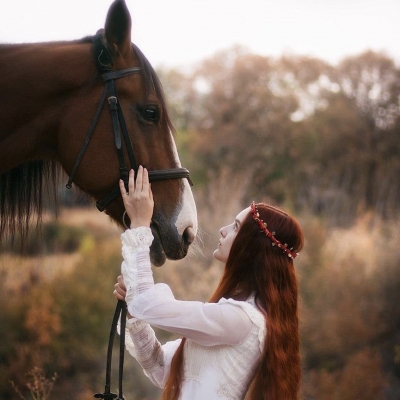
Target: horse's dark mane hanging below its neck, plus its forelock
pixel 22 188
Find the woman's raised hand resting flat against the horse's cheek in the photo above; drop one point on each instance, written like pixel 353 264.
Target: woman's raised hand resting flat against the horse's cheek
pixel 138 202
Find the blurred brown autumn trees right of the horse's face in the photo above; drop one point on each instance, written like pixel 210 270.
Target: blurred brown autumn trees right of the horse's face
pixel 325 139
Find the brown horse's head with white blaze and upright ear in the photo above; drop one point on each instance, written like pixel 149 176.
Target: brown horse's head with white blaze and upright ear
pixel 142 106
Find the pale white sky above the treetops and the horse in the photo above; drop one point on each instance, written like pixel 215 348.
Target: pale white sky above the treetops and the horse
pixel 177 33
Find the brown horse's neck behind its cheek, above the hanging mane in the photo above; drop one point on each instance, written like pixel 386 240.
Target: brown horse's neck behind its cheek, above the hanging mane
pixel 35 80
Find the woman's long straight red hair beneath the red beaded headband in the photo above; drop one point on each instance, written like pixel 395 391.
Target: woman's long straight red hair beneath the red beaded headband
pixel 256 267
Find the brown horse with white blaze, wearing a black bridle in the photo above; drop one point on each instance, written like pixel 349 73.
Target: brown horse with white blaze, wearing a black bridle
pixel 50 93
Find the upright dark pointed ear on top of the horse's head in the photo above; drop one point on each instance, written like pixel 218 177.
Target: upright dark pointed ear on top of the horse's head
pixel 118 28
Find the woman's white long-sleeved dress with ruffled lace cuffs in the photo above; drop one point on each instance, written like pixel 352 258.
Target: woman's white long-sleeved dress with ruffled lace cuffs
pixel 224 339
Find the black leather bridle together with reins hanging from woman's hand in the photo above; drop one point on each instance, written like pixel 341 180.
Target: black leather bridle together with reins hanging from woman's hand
pixel 104 65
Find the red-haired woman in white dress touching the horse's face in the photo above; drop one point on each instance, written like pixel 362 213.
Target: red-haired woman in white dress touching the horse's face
pixel 244 343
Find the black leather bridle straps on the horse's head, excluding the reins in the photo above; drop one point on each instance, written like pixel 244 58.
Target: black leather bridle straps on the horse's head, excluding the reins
pixel 104 66
